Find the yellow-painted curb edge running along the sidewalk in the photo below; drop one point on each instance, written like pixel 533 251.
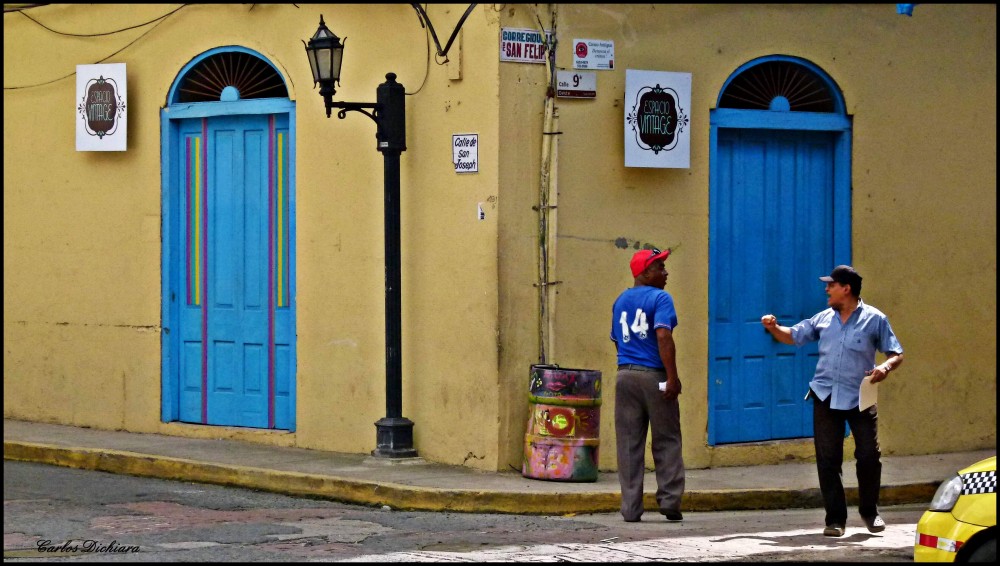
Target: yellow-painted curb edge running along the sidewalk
pixel 402 497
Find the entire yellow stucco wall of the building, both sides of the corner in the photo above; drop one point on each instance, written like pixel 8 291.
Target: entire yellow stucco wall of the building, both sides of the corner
pixel 82 252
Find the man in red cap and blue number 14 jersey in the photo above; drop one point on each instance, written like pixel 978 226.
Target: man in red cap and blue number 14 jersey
pixel 646 389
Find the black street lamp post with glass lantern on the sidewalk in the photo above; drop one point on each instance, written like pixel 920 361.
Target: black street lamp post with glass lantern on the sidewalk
pixel 393 433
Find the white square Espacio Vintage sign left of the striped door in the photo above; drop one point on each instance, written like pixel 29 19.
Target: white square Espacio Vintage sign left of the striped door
pixel 101 107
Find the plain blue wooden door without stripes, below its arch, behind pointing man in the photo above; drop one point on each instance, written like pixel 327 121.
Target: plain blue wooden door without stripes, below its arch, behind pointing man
pixel 772 236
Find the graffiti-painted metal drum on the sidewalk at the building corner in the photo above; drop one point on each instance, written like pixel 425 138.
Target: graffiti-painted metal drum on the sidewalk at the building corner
pixel 564 424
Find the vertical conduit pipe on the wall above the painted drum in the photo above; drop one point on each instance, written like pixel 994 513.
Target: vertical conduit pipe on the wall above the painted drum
pixel 547 209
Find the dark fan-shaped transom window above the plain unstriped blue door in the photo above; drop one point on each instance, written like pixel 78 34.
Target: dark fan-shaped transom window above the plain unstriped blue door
pixel 779 85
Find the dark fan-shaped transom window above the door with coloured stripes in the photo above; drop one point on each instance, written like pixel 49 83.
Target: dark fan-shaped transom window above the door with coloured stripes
pixel 228 76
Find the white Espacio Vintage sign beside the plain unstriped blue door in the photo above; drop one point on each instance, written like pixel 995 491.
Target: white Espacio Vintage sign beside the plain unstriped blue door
pixel 657 119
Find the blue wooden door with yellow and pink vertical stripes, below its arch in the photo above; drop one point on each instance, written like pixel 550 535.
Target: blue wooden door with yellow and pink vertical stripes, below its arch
pixel 234 321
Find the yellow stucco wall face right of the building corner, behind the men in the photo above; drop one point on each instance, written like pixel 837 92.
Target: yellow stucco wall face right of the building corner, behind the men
pixel 920 90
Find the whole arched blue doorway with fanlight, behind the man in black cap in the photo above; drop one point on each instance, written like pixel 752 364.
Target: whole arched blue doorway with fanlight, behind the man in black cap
pixel 779 205
